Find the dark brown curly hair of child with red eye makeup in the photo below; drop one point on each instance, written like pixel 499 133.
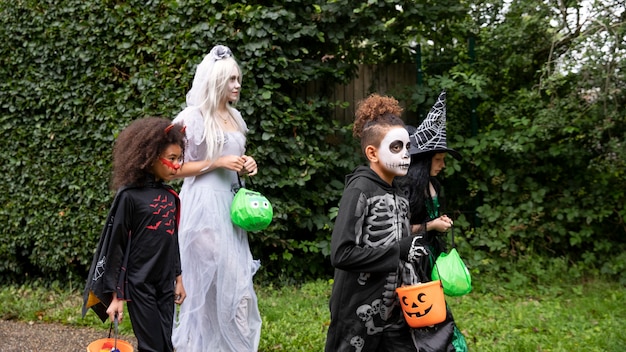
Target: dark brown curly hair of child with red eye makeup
pixel 139 145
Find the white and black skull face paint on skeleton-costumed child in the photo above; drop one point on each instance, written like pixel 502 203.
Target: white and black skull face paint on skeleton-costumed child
pixel 394 151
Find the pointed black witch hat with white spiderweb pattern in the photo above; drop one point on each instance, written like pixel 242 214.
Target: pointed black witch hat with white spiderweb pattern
pixel 430 135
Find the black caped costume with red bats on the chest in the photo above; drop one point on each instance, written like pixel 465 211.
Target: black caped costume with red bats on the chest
pixel 138 258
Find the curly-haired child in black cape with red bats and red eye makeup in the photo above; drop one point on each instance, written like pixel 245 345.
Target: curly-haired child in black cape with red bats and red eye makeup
pixel 137 260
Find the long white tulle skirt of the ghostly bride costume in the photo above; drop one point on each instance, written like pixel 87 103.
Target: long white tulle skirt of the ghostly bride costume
pixel 220 312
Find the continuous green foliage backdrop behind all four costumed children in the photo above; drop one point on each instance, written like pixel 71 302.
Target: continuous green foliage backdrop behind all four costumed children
pixel 543 168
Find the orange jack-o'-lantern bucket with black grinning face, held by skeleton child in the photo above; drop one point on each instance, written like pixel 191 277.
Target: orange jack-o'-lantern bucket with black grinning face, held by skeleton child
pixel 423 304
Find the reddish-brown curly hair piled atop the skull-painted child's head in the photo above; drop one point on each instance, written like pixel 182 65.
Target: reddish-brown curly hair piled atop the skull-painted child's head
pixel 374 116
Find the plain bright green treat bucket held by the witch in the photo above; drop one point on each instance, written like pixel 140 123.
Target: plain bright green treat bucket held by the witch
pixel 454 276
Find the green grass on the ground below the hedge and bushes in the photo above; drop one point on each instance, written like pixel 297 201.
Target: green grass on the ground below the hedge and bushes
pixel 589 316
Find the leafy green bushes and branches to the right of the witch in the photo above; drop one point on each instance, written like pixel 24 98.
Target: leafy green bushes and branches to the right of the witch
pixel 534 107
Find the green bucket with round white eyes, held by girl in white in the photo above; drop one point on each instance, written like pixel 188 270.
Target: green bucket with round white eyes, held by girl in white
pixel 251 211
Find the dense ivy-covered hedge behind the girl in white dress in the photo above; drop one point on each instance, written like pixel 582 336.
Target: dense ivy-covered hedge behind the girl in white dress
pixel 74 74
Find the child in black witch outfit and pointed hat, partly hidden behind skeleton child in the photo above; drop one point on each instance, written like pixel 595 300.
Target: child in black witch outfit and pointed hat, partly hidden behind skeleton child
pixel 421 187
